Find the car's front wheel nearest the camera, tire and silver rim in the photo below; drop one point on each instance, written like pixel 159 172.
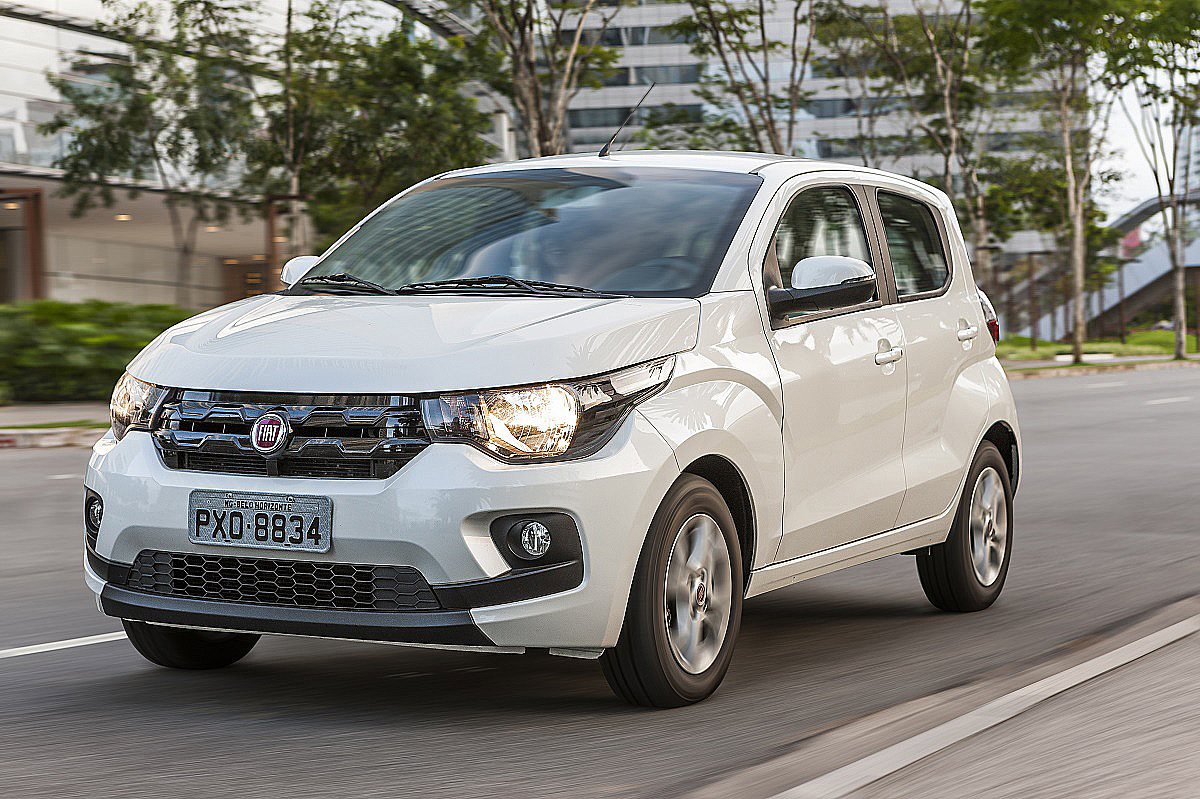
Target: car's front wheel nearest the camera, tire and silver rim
pixel 651 666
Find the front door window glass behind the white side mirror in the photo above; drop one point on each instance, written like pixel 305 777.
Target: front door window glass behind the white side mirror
pixel 823 221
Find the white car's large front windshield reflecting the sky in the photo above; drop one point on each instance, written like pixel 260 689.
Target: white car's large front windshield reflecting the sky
pixel 644 232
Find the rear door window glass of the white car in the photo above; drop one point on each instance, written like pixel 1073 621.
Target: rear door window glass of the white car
pixel 915 245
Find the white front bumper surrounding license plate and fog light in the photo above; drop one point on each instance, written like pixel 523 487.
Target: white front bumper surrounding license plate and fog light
pixel 433 516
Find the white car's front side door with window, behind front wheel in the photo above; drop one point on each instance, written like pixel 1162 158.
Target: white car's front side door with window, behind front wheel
pixel 844 386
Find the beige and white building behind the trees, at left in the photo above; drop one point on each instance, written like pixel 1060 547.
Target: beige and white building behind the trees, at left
pixel 125 253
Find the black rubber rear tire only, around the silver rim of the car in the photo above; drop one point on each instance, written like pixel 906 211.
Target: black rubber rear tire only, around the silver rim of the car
pixel 946 570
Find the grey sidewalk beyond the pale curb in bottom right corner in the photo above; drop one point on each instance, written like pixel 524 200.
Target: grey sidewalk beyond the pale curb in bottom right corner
pixel 1135 732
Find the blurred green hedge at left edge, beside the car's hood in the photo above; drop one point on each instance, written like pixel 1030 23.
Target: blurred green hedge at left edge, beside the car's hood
pixel 55 351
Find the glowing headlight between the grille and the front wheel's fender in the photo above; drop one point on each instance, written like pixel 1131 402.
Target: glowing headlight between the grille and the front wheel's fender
pixel 559 420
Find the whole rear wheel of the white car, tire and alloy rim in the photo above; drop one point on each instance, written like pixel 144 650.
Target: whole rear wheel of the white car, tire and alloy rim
pixel 951 574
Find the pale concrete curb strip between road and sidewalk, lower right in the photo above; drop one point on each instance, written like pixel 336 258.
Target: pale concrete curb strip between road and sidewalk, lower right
pixel 889 761
